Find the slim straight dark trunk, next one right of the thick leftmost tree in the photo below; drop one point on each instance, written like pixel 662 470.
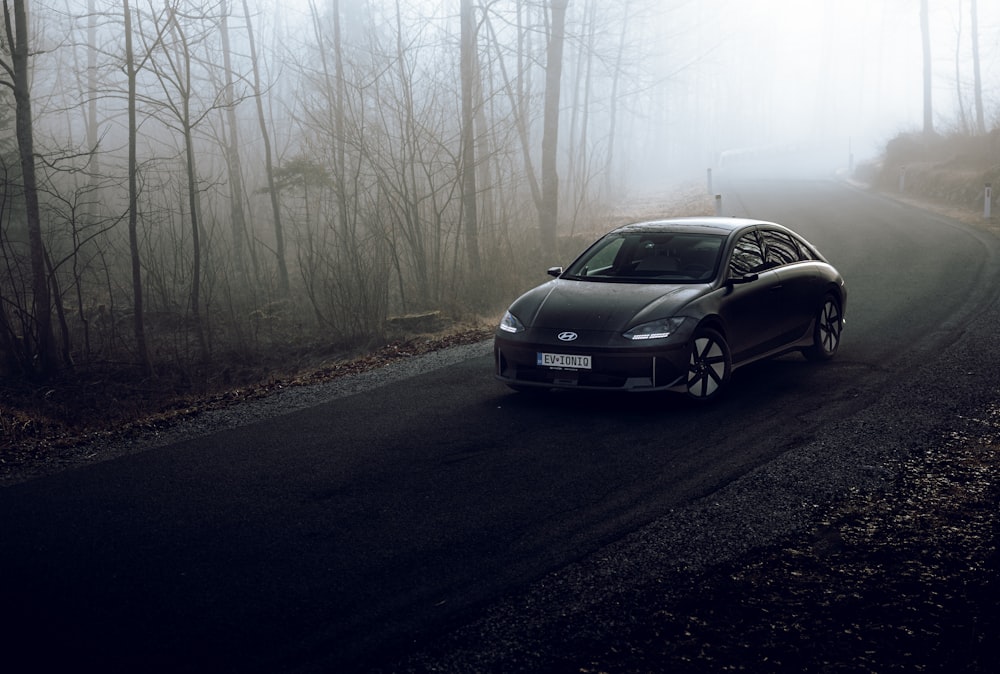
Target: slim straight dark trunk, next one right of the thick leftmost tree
pixel 138 318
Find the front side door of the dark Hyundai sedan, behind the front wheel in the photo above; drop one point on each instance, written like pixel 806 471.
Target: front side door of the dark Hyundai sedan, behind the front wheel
pixel 752 308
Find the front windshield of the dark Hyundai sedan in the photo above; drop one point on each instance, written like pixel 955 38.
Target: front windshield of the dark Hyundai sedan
pixel 649 257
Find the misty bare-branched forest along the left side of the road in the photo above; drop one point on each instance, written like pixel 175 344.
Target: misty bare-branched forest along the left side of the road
pixel 191 189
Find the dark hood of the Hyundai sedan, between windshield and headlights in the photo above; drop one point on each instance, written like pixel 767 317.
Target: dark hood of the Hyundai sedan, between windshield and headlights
pixel 587 305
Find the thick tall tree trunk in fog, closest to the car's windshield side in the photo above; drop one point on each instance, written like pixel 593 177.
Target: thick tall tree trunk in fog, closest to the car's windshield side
pixel 549 213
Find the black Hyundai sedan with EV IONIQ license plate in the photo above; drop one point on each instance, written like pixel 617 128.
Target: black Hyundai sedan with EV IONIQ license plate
pixel 673 305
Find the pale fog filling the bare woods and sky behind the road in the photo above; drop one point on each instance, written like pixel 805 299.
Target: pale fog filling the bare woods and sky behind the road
pixel 345 167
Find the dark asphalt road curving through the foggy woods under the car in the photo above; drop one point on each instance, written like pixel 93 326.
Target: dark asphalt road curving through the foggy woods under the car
pixel 340 536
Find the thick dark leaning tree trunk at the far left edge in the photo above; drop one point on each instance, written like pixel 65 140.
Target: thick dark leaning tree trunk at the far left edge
pixel 17 38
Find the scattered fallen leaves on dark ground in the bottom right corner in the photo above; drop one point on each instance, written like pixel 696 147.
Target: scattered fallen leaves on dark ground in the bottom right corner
pixel 902 581
